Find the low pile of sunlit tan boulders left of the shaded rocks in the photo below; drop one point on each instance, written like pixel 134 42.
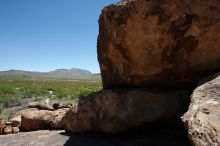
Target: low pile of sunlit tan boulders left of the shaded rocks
pixel 38 116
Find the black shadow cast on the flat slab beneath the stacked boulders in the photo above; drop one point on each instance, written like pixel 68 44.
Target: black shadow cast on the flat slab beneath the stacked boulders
pixel 153 135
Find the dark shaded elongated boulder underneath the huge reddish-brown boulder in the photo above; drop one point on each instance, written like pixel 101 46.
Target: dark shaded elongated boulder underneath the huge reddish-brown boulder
pixel 114 111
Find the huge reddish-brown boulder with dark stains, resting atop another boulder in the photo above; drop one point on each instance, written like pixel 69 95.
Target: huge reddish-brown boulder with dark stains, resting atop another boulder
pixel 159 42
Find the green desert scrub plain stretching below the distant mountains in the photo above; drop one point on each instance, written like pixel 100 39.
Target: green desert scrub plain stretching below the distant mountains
pixel 18 92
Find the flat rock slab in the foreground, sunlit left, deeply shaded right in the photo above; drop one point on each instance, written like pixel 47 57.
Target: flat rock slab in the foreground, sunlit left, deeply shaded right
pixel 157 136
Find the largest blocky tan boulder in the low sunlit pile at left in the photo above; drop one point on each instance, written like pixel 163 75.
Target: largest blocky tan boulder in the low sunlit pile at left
pixel 42 119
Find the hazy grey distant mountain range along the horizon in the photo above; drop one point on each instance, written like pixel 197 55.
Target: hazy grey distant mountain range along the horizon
pixel 73 73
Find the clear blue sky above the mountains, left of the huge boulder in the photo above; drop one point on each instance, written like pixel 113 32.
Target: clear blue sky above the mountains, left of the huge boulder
pixel 43 35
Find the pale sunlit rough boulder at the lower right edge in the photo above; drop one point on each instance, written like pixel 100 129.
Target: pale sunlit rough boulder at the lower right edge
pixel 203 117
